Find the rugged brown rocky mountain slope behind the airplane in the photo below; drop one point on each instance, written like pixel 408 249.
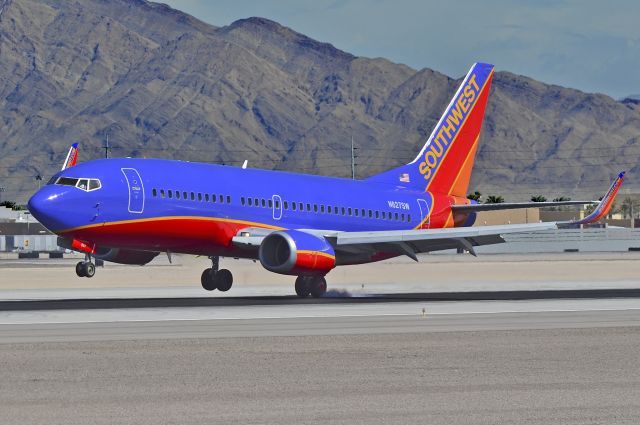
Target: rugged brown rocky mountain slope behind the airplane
pixel 161 83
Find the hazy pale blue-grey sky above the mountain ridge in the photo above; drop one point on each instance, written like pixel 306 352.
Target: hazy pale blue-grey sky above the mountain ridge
pixel 592 45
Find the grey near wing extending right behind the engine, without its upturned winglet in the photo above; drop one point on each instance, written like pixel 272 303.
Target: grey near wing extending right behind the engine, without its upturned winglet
pixel 412 242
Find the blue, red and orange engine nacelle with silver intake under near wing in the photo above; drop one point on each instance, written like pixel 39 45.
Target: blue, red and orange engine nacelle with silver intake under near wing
pixel 297 253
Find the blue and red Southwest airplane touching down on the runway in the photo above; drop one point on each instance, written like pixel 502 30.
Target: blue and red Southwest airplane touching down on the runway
pixel 128 210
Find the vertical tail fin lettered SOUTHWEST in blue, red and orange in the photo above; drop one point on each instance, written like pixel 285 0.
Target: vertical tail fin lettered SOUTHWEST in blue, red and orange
pixel 444 164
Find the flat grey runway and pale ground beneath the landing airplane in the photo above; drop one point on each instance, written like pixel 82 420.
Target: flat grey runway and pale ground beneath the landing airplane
pixel 559 351
